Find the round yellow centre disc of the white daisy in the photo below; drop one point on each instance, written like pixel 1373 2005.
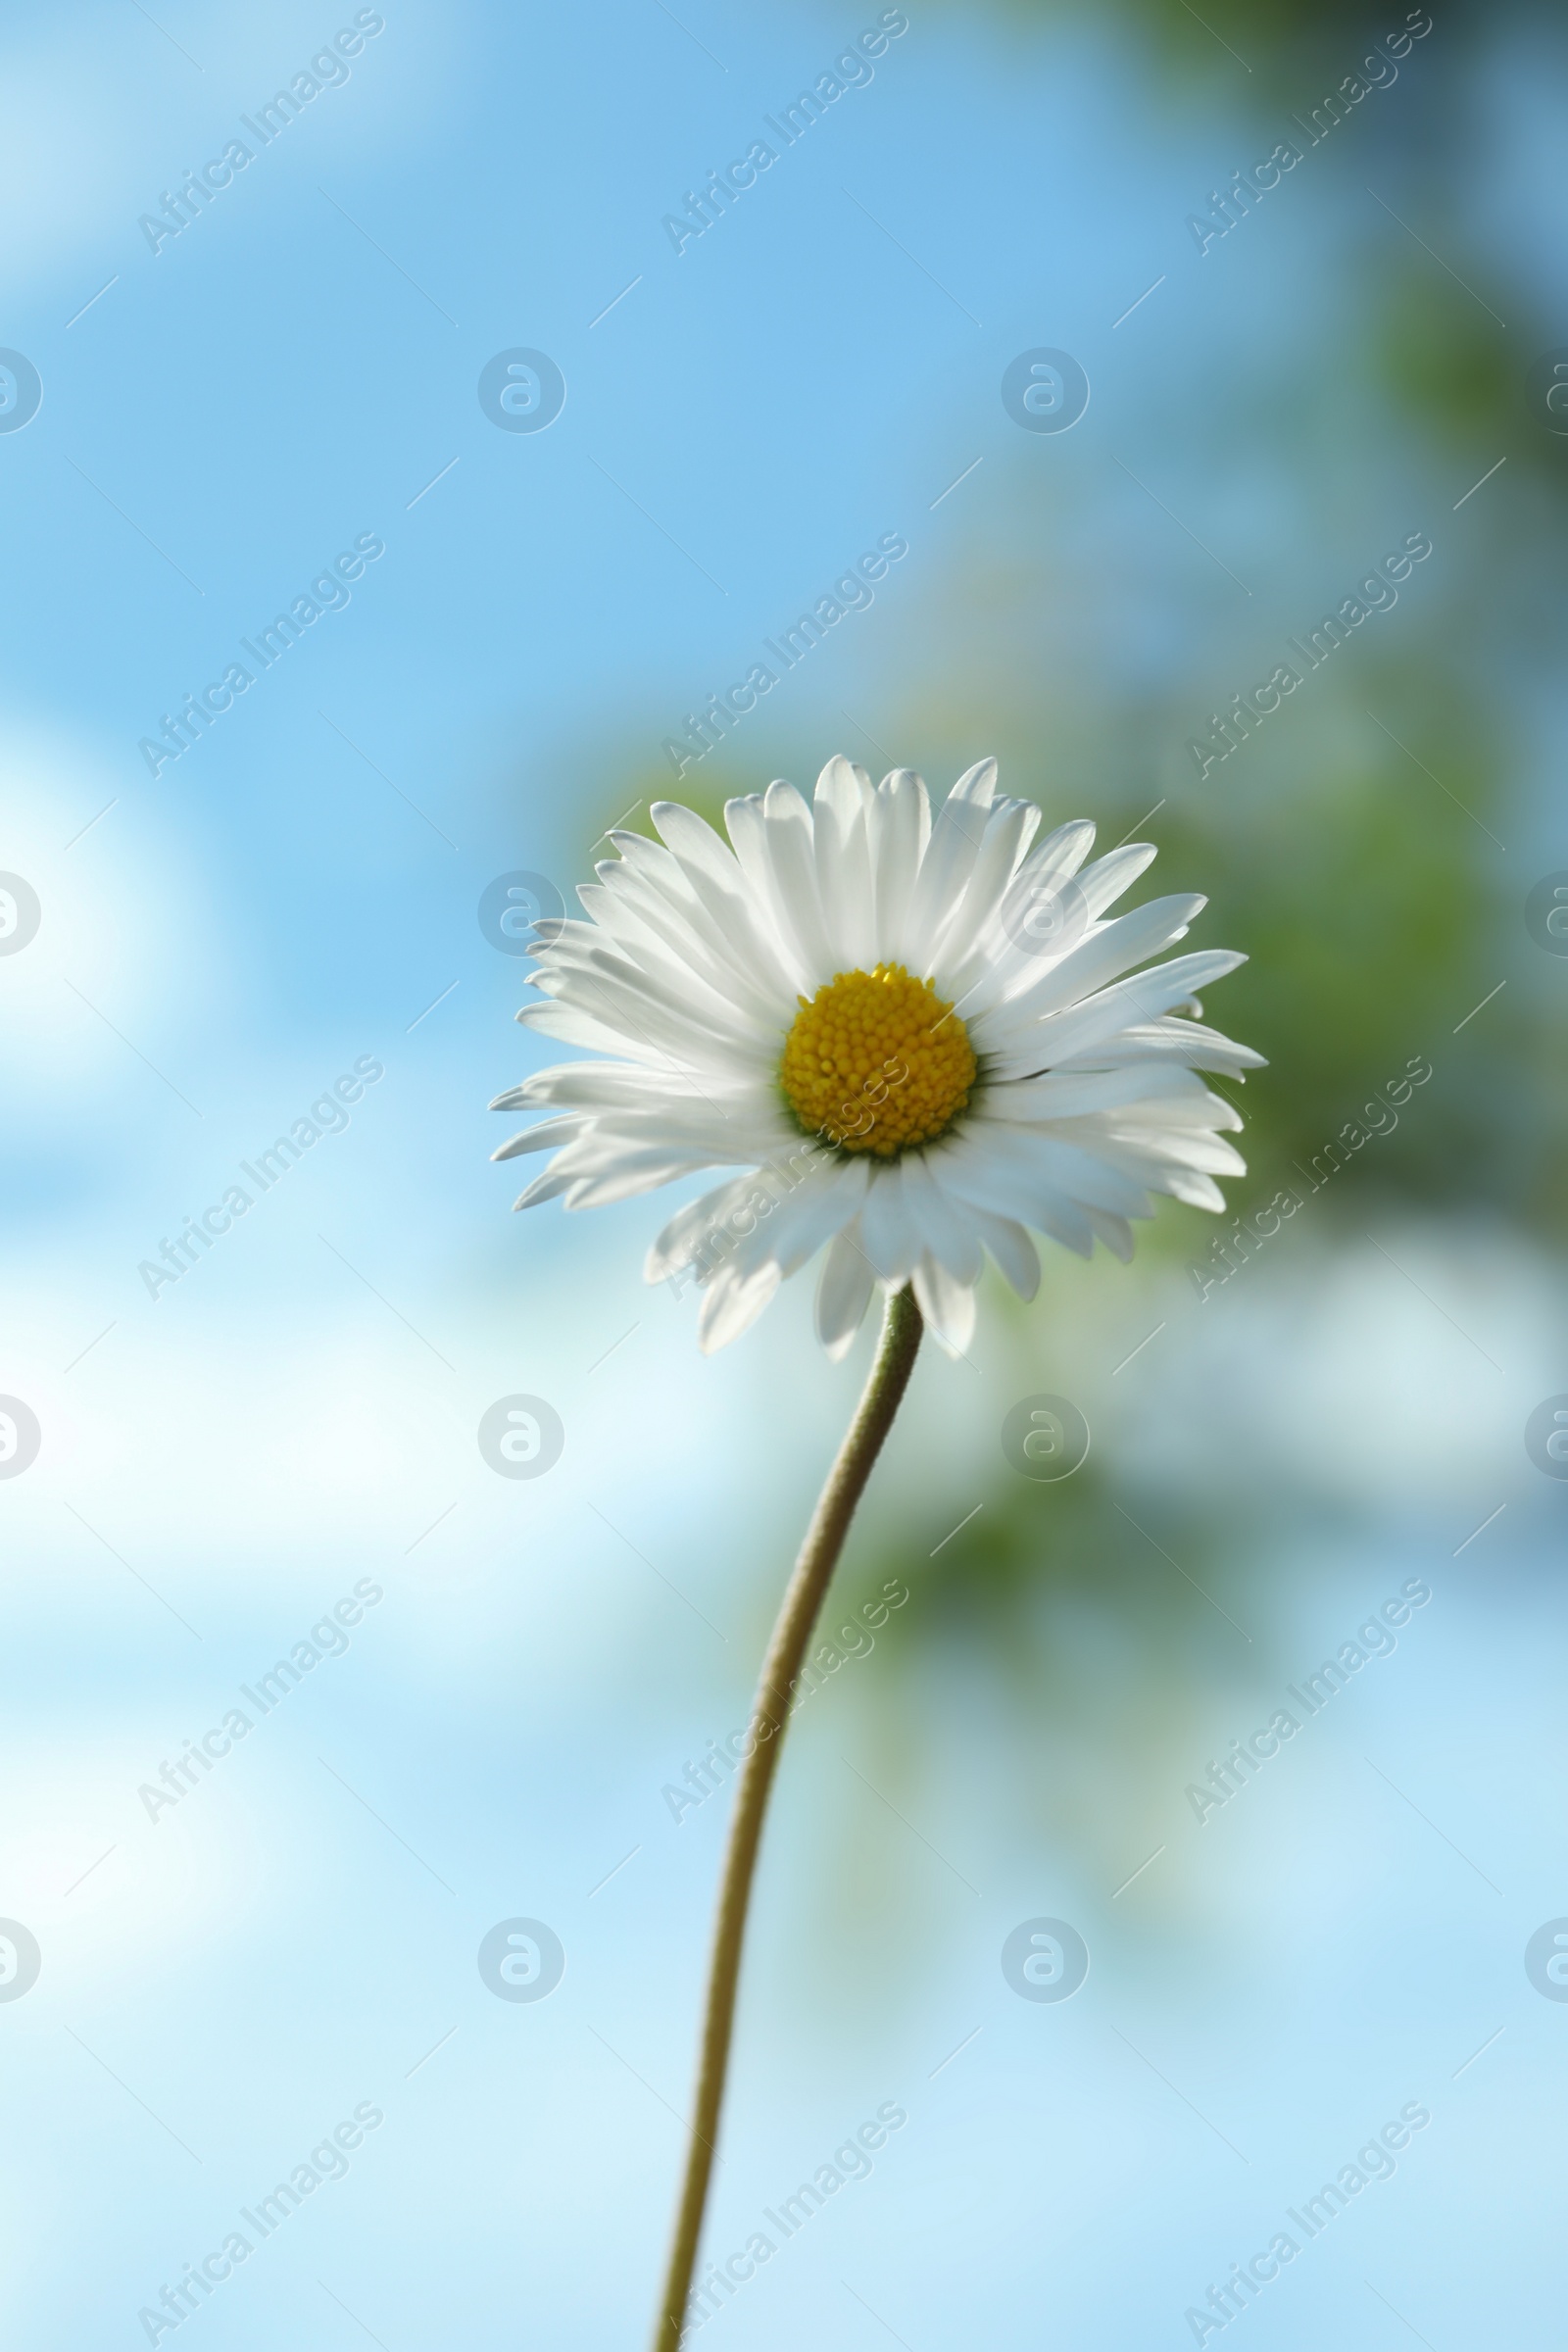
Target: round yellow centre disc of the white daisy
pixel 878 1062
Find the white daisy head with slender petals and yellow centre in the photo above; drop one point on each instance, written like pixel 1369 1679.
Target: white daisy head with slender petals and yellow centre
pixel 916 1036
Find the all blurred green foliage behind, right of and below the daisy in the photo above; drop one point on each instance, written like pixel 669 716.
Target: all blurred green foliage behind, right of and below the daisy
pixel 1355 850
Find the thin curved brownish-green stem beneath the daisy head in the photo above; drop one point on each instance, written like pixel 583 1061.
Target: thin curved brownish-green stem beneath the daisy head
pixel 819 1558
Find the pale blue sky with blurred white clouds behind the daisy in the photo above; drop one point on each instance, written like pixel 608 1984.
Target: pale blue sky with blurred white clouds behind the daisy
pixel 293 375
